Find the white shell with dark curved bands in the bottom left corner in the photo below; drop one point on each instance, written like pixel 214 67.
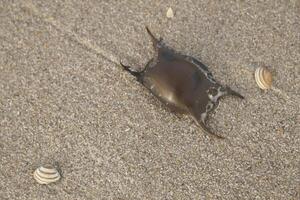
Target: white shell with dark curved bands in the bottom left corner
pixel 46 175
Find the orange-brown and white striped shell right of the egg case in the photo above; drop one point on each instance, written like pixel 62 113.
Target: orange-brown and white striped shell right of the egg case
pixel 263 78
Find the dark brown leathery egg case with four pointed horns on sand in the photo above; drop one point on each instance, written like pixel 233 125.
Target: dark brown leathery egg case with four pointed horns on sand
pixel 182 83
